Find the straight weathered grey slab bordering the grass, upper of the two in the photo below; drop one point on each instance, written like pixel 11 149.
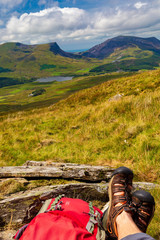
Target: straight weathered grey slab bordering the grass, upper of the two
pixel 57 170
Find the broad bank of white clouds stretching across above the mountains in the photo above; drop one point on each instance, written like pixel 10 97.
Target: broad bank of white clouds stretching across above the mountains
pixel 75 25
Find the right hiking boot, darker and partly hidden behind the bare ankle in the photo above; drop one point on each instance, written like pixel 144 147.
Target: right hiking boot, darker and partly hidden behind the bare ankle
pixel 144 205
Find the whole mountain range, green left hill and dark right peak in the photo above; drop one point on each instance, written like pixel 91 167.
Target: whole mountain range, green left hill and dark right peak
pixel 20 62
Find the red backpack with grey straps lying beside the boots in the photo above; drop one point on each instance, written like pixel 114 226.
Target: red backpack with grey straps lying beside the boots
pixel 65 218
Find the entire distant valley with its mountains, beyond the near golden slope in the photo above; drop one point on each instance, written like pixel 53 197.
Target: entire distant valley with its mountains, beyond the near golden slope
pixel 21 65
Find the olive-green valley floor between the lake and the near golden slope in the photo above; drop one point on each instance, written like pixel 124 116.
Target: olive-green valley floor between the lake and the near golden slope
pixel 16 97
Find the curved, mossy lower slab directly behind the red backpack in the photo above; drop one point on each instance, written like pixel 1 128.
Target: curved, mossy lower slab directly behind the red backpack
pixel 23 206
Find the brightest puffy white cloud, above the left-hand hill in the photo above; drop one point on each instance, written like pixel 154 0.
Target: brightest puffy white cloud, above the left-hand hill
pixel 53 21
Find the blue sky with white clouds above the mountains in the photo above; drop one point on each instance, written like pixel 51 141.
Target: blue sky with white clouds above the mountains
pixel 77 24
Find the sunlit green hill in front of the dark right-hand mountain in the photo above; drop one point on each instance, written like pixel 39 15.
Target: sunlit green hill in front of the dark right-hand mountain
pixel 130 59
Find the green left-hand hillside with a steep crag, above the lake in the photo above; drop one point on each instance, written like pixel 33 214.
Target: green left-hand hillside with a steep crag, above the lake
pixel 26 63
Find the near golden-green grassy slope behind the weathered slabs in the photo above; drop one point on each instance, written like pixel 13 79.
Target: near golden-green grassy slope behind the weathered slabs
pixel 88 128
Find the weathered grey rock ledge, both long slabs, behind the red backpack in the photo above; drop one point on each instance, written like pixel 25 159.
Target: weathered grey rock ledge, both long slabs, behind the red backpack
pixel 20 207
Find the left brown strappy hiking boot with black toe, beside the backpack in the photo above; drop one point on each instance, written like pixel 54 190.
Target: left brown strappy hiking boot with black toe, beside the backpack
pixel 120 187
